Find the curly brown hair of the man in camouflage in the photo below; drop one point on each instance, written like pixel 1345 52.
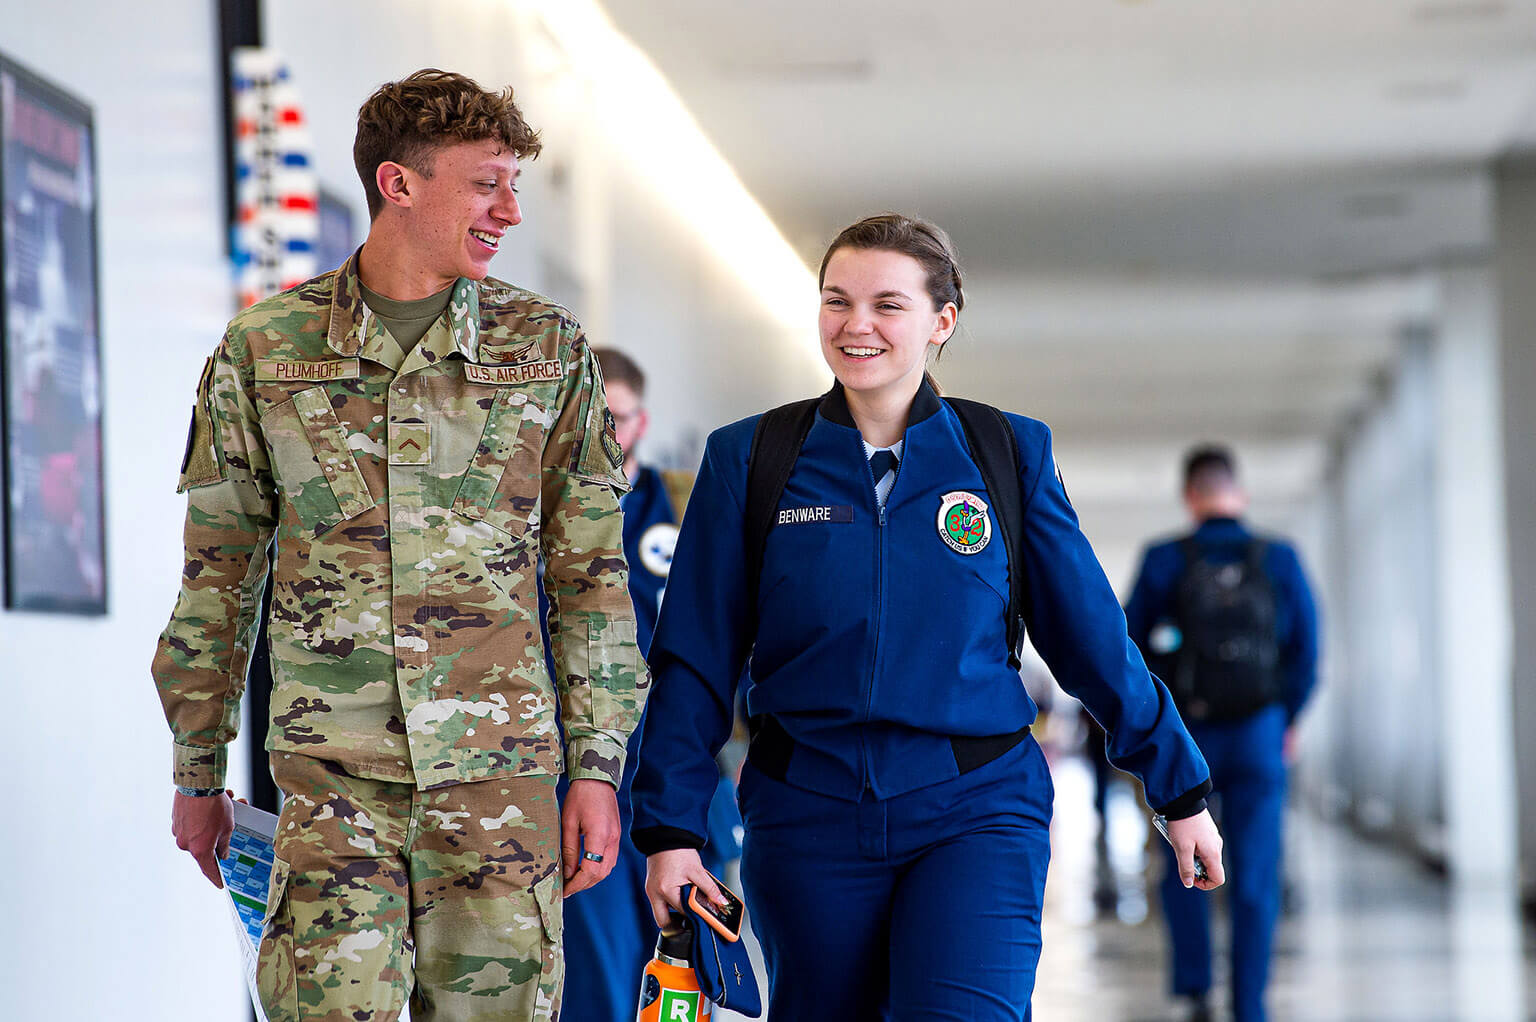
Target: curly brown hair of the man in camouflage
pixel 406 122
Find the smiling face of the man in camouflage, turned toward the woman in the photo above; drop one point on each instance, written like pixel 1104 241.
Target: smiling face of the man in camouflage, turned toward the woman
pixel 457 217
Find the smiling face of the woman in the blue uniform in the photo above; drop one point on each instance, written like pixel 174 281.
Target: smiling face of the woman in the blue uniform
pixel 878 322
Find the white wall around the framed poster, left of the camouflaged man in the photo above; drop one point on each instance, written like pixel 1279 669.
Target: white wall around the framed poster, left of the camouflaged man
pixel 98 898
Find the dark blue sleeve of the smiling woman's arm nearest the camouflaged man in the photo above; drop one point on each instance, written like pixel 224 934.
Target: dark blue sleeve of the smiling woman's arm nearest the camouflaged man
pixel 697 660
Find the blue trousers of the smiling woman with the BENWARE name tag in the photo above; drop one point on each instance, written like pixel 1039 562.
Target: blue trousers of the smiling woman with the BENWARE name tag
pixel 922 906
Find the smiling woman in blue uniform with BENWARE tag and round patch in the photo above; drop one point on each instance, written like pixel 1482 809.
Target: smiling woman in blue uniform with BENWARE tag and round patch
pixel 895 803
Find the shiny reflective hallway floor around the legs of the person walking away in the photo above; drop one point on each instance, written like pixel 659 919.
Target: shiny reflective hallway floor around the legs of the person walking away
pixel 1372 937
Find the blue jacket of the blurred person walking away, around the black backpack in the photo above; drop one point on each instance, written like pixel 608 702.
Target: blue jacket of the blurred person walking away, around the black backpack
pixel 1226 540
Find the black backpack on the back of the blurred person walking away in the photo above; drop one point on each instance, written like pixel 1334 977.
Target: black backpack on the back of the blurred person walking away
pixel 1228 662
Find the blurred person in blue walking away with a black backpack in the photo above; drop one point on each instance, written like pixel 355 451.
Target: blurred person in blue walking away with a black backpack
pixel 1226 620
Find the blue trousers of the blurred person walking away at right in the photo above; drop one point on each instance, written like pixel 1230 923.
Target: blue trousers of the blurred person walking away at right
pixel 1248 774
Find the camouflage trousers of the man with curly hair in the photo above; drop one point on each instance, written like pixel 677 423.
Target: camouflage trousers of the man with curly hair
pixel 383 892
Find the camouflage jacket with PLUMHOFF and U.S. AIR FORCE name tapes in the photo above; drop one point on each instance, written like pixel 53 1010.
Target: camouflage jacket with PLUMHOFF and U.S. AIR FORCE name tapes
pixel 409 496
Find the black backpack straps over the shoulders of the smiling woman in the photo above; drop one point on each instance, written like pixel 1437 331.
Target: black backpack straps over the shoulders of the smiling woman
pixel 995 448
